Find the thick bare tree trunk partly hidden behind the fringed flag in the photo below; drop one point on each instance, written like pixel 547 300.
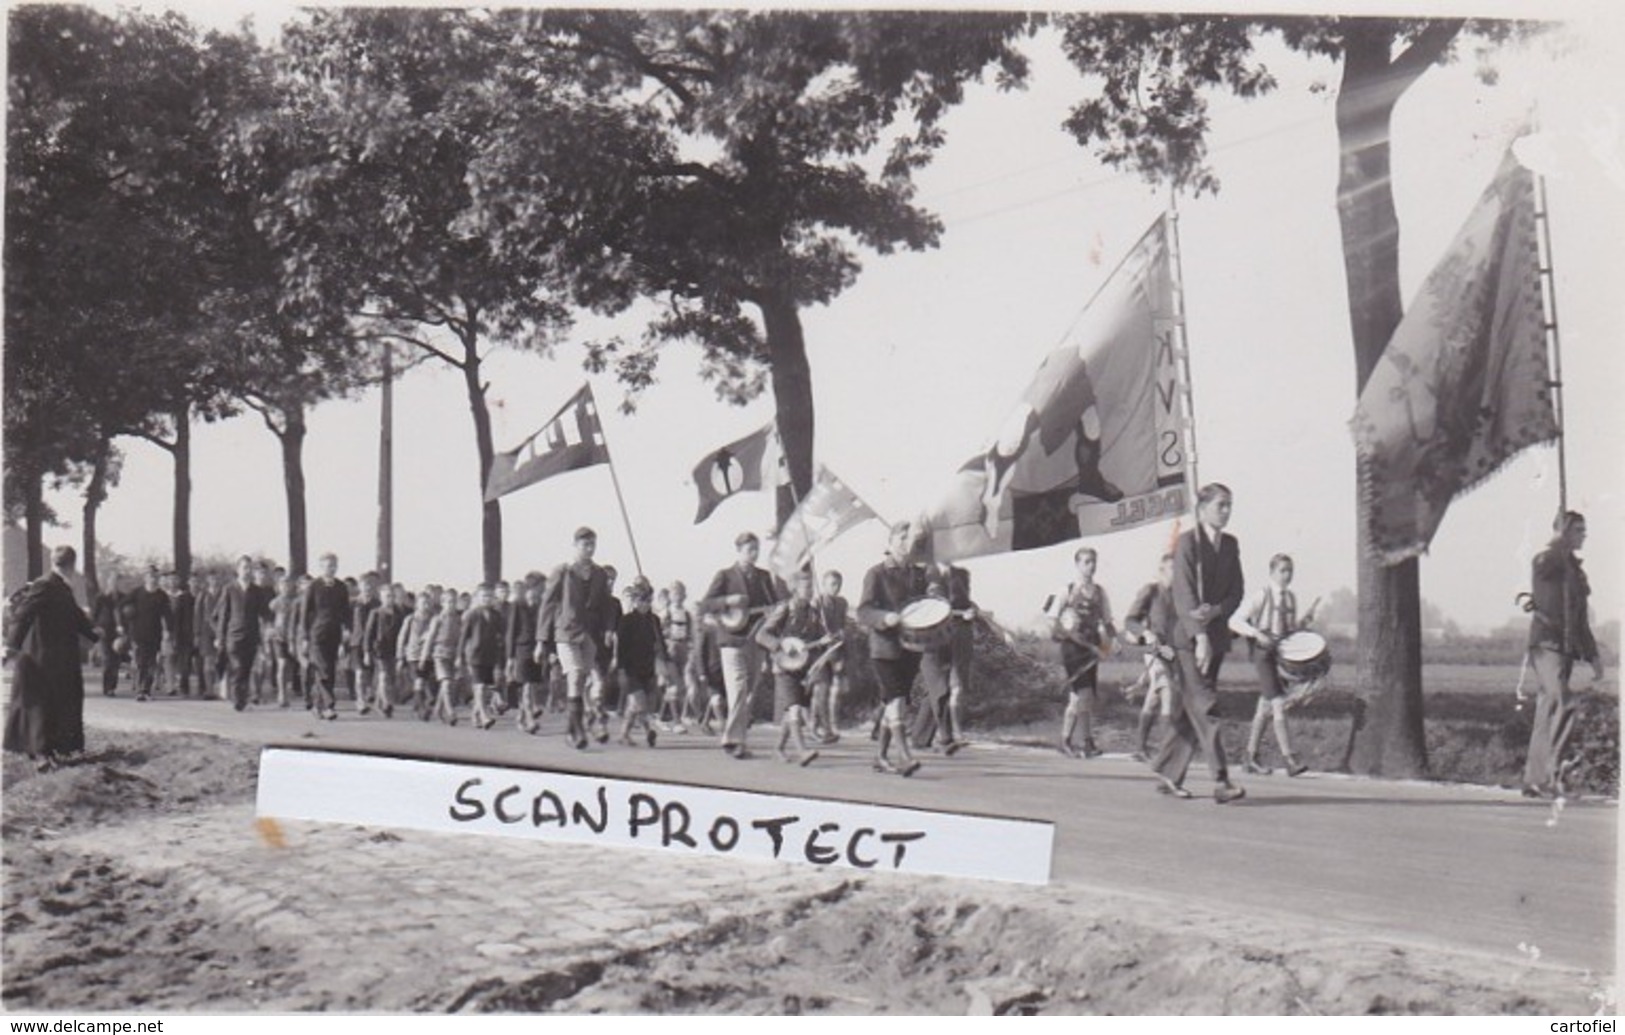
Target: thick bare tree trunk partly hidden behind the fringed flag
pixel 1389 737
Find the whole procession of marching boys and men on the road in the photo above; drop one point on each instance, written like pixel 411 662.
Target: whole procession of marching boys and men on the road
pixel 566 643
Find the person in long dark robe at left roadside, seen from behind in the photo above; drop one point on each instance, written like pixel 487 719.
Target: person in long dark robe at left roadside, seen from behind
pixel 46 719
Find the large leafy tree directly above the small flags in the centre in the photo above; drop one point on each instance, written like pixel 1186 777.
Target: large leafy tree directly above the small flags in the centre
pixel 791 144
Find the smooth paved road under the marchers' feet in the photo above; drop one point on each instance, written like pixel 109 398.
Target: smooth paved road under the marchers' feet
pixel 1458 867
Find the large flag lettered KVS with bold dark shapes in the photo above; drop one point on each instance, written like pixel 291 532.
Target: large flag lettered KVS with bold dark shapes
pixel 1098 441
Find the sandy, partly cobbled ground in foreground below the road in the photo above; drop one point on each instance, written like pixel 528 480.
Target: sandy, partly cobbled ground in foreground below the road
pixel 139 880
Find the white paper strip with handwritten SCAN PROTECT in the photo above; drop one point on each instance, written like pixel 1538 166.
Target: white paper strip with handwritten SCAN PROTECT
pixel 553 807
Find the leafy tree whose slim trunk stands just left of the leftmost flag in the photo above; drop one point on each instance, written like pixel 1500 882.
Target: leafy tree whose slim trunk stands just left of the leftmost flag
pixel 402 113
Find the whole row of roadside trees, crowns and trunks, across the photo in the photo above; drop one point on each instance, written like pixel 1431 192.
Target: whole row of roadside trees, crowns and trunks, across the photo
pixel 201 225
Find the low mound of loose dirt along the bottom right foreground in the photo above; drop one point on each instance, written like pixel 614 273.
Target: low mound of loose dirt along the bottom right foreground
pixel 878 948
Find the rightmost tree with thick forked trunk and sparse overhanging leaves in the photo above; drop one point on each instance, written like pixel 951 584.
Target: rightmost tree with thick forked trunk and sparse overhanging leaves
pixel 1153 118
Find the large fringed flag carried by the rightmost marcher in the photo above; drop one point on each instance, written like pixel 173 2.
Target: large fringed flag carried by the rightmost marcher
pixel 1463 384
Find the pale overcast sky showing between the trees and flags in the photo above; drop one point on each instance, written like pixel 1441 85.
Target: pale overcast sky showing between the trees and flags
pixel 917 365
